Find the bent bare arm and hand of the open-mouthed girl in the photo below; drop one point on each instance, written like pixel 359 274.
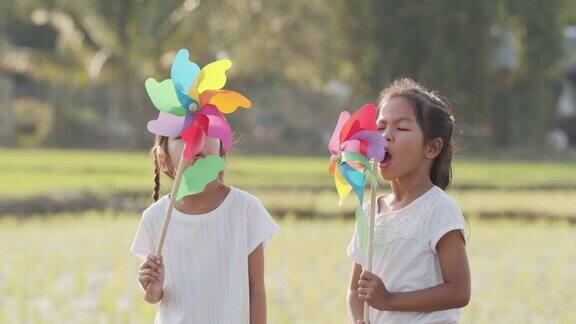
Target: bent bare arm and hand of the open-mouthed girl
pixel 453 293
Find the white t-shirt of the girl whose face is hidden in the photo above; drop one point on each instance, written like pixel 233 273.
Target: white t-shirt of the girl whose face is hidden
pixel 206 258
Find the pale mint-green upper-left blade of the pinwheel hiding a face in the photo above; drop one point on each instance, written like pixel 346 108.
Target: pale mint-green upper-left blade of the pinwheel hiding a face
pixel 163 96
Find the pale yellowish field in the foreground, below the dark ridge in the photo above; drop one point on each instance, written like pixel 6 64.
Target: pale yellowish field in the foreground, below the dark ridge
pixel 77 269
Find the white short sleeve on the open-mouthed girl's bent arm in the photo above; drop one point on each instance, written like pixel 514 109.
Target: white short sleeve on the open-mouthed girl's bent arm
pixel 445 216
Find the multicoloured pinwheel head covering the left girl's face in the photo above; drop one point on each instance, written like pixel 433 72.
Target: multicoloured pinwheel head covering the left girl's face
pixel 191 103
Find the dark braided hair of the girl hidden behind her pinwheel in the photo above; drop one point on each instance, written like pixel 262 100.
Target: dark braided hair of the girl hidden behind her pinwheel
pixel 162 162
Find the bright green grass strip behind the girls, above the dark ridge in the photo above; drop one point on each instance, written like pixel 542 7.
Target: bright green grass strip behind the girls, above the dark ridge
pixel 32 172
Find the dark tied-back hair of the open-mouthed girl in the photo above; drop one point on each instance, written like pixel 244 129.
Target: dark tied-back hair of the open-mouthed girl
pixel 435 120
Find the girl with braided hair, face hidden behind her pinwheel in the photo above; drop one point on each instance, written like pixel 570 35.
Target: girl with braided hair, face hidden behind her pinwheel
pixel 212 267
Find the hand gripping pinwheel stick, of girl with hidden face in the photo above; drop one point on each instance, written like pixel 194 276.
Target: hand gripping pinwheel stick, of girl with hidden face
pixel 151 277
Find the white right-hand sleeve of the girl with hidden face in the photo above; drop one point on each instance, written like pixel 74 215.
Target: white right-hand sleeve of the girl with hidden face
pixel 261 226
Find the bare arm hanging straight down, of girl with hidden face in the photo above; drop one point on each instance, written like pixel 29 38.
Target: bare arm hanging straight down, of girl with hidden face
pixel 256 285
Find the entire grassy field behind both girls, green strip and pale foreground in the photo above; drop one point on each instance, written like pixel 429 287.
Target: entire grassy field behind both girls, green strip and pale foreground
pixel 76 268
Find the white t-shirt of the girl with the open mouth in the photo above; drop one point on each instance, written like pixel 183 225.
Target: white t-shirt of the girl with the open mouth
pixel 404 252
